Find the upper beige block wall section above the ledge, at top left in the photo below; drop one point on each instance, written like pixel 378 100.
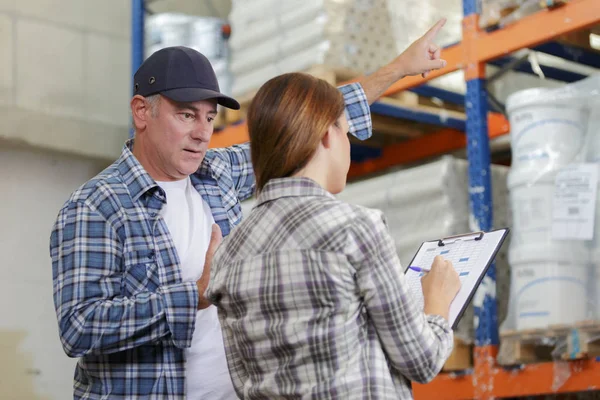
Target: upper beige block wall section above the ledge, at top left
pixel 65 74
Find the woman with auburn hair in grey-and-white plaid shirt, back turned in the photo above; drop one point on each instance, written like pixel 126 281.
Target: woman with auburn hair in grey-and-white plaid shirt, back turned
pixel 311 295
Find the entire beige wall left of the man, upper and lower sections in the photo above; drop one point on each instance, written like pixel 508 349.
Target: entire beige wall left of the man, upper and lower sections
pixel 64 115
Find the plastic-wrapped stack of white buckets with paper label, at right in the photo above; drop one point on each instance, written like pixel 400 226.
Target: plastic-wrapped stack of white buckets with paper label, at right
pixel 555 143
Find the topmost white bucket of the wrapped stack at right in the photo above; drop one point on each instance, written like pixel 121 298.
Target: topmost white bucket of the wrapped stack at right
pixel 546 132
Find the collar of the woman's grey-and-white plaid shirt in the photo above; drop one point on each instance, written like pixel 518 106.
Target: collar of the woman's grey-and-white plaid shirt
pixel 291 187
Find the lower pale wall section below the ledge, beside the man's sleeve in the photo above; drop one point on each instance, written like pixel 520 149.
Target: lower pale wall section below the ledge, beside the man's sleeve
pixel 35 185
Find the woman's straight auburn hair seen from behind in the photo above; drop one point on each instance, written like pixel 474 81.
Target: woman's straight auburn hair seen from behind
pixel 287 119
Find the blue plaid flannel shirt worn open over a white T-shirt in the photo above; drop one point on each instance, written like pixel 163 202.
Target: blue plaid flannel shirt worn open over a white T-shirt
pixel 121 304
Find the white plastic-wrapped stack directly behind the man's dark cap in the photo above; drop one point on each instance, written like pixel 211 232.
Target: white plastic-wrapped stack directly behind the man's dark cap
pixel 201 33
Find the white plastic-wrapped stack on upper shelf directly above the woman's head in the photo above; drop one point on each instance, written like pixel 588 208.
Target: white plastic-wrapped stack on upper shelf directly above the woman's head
pixel 271 37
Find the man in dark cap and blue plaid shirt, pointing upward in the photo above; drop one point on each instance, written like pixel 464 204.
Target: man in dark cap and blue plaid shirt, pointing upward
pixel 131 248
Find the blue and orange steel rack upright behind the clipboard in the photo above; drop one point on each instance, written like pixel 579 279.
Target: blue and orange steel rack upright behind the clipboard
pixel 480 195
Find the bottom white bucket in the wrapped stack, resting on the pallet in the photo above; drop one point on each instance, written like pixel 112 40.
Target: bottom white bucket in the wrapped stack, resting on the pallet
pixel 549 285
